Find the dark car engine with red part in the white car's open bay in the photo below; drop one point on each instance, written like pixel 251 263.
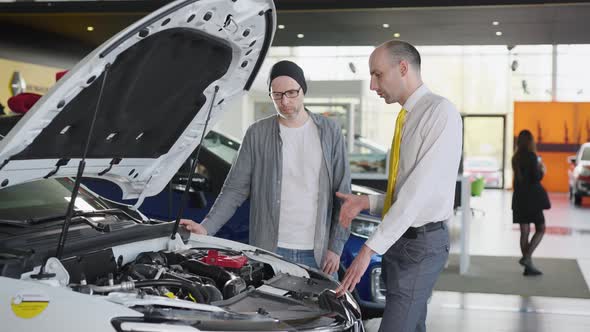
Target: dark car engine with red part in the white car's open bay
pixel 198 275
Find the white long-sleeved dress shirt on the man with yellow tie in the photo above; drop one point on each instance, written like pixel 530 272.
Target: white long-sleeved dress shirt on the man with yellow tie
pixel 430 152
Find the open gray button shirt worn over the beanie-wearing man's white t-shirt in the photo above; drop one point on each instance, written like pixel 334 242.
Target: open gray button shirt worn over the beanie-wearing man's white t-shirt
pixel 256 173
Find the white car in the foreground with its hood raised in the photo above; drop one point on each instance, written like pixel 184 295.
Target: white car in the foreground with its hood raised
pixel 132 112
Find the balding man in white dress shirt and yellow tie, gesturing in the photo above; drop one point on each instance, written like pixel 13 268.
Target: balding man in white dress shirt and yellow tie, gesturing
pixel 425 155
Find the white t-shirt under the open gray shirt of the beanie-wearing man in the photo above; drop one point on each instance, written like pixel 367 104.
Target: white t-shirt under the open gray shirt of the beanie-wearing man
pixel 302 159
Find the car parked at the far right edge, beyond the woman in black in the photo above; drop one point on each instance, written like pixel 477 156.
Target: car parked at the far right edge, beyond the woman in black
pixel 579 174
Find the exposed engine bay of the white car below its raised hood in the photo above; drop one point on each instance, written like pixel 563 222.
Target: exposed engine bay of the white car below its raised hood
pixel 205 284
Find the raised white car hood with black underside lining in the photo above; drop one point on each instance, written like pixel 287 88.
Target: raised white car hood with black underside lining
pixel 154 84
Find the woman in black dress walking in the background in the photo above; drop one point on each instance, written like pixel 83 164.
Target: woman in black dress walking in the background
pixel 529 198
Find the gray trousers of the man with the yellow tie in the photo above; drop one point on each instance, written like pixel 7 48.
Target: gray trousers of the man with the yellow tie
pixel 410 270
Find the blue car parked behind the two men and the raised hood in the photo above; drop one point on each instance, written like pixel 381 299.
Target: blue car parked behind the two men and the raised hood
pixel 215 160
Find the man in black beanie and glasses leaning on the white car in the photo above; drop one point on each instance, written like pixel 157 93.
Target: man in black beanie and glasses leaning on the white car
pixel 290 165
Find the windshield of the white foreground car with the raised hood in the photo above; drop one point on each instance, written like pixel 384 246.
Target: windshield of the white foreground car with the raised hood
pixel 44 198
